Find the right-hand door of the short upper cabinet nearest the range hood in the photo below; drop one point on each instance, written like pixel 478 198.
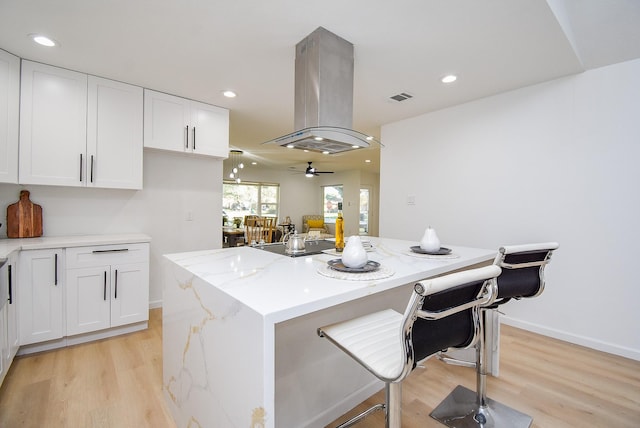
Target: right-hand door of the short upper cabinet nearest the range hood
pixel 210 130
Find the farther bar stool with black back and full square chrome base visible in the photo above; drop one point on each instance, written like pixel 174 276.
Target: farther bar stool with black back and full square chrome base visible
pixel 522 276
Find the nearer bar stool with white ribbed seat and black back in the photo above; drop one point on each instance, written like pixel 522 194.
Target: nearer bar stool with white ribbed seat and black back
pixel 441 313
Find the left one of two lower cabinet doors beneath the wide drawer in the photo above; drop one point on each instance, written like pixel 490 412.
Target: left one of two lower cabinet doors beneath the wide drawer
pixel 88 299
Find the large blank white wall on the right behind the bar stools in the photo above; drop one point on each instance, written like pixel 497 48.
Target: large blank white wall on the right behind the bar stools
pixel 556 161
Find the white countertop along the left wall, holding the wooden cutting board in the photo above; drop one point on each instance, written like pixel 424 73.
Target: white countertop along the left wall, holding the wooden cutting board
pixel 7 246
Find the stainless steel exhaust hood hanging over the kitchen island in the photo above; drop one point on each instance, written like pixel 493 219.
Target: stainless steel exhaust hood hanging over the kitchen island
pixel 324 97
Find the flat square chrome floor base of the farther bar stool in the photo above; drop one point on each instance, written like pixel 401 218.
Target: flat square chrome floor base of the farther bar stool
pixel 460 410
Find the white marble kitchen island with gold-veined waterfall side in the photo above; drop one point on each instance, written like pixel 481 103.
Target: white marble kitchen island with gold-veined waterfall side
pixel 240 347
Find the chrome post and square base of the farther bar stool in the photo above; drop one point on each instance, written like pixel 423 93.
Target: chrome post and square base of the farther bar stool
pixel 464 408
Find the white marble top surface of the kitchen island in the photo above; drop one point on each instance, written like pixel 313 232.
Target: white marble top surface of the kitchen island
pixel 280 287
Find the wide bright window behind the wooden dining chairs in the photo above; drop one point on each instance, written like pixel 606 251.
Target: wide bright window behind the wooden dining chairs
pixel 239 200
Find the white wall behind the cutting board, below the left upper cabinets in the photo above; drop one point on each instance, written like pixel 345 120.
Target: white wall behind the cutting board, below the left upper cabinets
pixel 174 185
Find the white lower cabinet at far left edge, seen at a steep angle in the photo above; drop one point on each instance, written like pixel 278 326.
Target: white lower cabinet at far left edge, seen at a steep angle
pixel 9 342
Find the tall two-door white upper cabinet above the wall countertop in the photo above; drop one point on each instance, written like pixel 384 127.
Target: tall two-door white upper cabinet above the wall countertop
pixel 79 130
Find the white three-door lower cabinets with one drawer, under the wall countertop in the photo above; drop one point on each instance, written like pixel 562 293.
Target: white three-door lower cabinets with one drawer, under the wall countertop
pixel 76 294
